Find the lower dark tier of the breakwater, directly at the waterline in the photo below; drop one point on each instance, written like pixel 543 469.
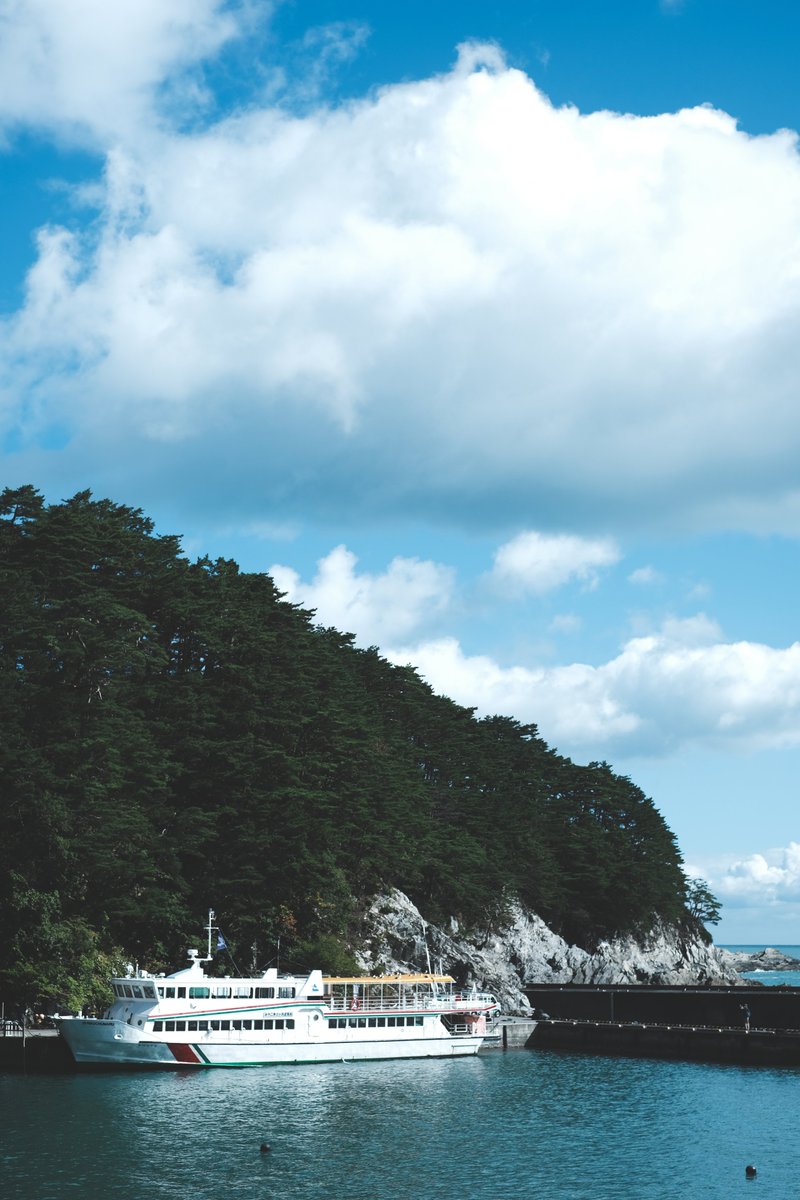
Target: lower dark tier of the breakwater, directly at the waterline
pixel 757 1048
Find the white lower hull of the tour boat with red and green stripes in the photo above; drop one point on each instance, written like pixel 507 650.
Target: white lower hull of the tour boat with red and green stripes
pixel 115 1043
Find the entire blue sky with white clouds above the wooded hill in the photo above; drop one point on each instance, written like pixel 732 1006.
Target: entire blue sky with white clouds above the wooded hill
pixel 477 326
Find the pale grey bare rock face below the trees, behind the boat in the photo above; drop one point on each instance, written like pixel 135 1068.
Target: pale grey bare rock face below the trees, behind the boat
pixel 526 952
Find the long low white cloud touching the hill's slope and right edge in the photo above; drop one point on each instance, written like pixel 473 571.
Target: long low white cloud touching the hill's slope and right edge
pixel 677 688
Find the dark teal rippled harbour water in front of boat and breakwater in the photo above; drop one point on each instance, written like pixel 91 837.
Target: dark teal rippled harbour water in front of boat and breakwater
pixel 501 1126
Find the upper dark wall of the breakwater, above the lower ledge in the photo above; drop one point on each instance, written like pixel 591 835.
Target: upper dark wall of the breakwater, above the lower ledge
pixel 771 1009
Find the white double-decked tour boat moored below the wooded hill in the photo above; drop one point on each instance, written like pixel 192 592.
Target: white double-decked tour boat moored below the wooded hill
pixel 191 1019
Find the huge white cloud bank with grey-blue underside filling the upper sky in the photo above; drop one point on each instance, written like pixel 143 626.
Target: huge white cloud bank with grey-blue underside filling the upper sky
pixel 449 297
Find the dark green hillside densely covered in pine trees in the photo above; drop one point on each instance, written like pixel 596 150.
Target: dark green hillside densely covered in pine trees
pixel 176 736
